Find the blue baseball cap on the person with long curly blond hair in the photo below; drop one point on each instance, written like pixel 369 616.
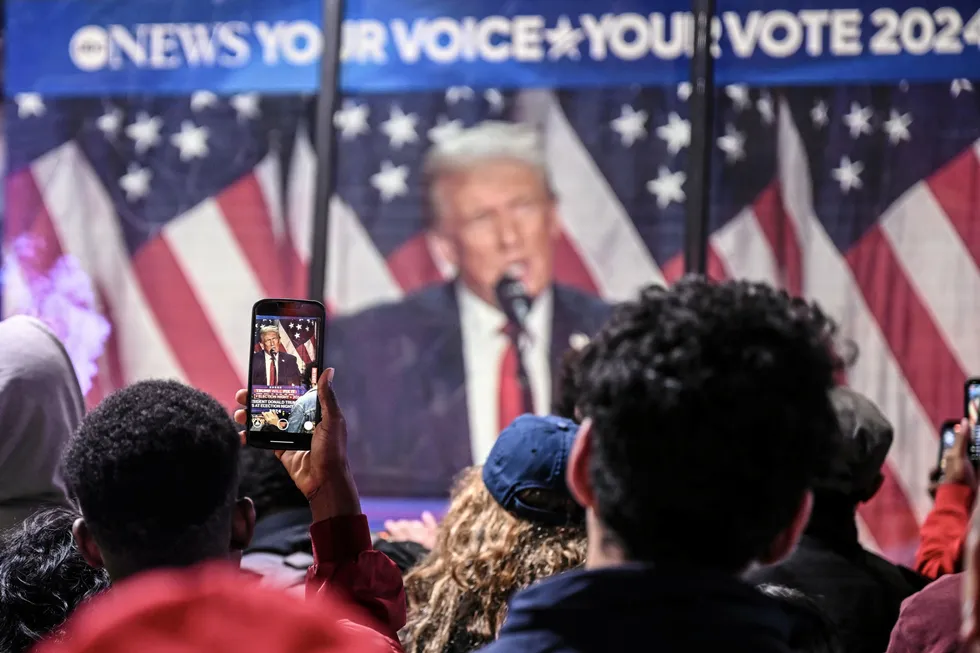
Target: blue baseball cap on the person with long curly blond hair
pixel 532 454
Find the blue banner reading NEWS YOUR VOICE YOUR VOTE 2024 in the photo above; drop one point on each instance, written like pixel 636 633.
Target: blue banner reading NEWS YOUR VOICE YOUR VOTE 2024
pixel 99 47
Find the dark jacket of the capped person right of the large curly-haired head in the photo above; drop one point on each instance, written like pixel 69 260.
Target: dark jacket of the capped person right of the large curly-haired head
pixel 860 592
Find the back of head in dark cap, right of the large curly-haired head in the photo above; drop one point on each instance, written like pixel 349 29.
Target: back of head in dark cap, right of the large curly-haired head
pixel 854 473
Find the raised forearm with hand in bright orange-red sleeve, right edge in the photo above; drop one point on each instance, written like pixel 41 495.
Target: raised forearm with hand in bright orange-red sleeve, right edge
pixel 943 533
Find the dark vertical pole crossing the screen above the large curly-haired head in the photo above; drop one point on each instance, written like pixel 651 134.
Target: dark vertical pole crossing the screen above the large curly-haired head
pixel 701 106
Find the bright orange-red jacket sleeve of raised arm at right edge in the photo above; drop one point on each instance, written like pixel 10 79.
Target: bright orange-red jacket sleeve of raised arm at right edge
pixel 944 532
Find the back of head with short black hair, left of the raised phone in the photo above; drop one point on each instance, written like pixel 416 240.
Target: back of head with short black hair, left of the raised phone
pixel 154 469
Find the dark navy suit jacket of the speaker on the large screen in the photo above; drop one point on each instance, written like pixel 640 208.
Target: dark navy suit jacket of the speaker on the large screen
pixel 402 385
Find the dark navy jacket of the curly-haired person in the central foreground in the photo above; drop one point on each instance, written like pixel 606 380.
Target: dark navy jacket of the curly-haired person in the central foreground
pixel 642 608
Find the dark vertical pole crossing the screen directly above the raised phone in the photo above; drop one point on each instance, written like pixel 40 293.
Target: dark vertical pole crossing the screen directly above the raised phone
pixel 326 148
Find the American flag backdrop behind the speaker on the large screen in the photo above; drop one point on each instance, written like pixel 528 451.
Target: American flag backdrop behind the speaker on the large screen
pixel 863 198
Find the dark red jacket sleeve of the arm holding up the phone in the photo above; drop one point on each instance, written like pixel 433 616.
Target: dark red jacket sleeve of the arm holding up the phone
pixel 346 564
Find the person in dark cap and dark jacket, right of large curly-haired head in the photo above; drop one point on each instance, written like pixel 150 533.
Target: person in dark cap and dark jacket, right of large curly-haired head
pixel 862 592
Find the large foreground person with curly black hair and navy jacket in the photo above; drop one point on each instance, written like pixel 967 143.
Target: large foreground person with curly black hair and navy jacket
pixel 706 419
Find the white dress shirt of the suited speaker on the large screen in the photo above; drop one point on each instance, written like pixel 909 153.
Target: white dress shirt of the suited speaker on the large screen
pixel 484 345
